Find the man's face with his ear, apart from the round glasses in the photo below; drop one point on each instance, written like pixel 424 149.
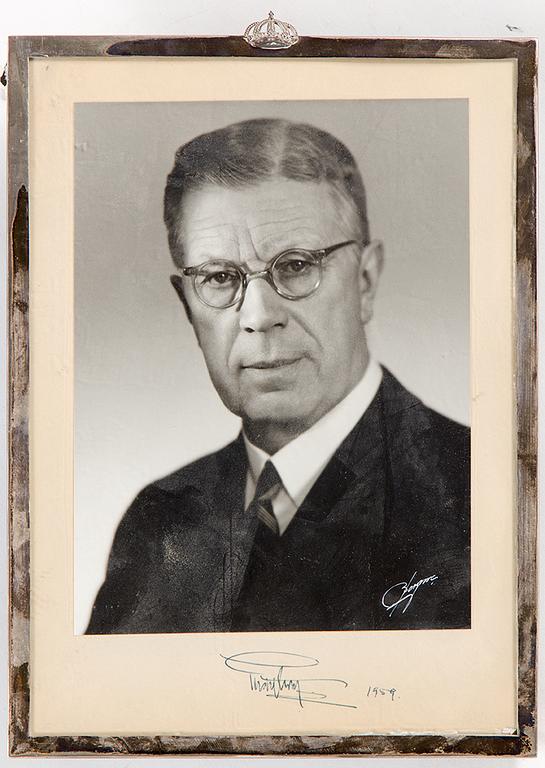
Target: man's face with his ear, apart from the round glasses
pixel 275 361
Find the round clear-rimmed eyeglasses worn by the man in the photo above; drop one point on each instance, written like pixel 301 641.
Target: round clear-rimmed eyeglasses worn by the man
pixel 294 274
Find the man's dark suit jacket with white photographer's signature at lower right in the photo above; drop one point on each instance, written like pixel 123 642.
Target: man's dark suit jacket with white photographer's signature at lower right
pixel 382 540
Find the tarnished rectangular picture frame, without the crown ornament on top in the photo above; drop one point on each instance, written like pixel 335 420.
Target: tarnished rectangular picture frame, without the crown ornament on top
pixel 24 529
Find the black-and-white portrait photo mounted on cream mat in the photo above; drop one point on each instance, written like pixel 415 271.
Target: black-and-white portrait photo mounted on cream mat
pixel 271 366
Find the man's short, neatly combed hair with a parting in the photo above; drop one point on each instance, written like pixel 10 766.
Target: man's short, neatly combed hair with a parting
pixel 253 151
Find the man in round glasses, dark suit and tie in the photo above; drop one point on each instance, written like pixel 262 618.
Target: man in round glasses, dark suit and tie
pixel 344 502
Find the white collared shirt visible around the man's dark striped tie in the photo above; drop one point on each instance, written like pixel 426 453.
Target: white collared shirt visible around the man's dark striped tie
pixel 301 461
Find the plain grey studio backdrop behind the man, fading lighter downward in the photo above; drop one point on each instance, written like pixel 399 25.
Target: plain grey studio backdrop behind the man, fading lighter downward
pixel 143 401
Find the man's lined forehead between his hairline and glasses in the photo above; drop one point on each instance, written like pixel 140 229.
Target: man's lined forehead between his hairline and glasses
pixel 260 219
